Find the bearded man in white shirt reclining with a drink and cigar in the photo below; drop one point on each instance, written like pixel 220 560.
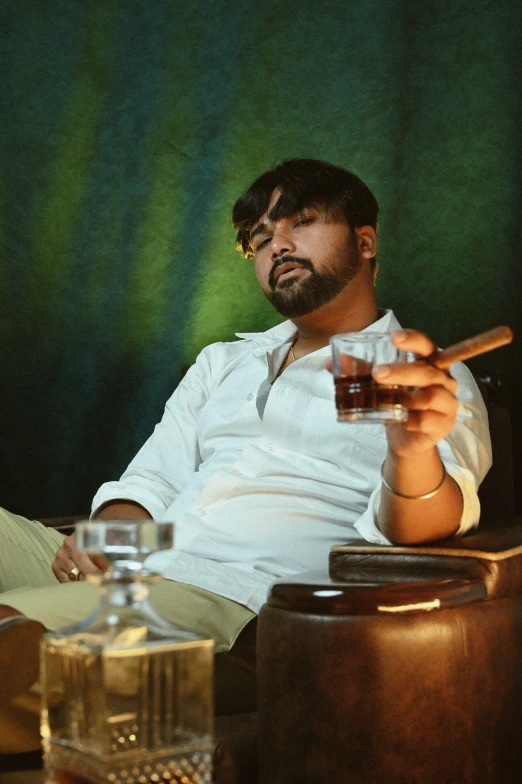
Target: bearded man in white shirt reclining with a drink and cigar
pixel 249 460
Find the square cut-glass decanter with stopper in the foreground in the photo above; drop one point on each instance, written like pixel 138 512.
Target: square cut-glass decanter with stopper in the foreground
pixel 127 696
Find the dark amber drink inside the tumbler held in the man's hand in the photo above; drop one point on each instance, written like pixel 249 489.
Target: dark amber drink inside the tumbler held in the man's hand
pixel 357 396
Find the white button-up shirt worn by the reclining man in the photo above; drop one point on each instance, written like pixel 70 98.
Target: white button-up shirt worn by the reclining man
pixel 258 475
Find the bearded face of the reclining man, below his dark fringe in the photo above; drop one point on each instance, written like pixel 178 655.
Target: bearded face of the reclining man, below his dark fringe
pixel 305 260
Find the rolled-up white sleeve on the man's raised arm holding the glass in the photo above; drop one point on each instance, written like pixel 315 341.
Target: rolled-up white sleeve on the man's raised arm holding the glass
pixel 465 452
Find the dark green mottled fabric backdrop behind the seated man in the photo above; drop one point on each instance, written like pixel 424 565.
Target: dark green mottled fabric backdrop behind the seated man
pixel 128 129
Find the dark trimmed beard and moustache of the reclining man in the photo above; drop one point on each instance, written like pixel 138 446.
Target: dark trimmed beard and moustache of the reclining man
pixel 299 296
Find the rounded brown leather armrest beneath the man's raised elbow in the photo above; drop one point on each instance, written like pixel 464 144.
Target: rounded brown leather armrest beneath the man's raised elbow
pixel 355 690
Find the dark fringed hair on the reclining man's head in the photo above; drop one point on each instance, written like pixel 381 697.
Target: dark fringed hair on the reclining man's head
pixel 303 182
